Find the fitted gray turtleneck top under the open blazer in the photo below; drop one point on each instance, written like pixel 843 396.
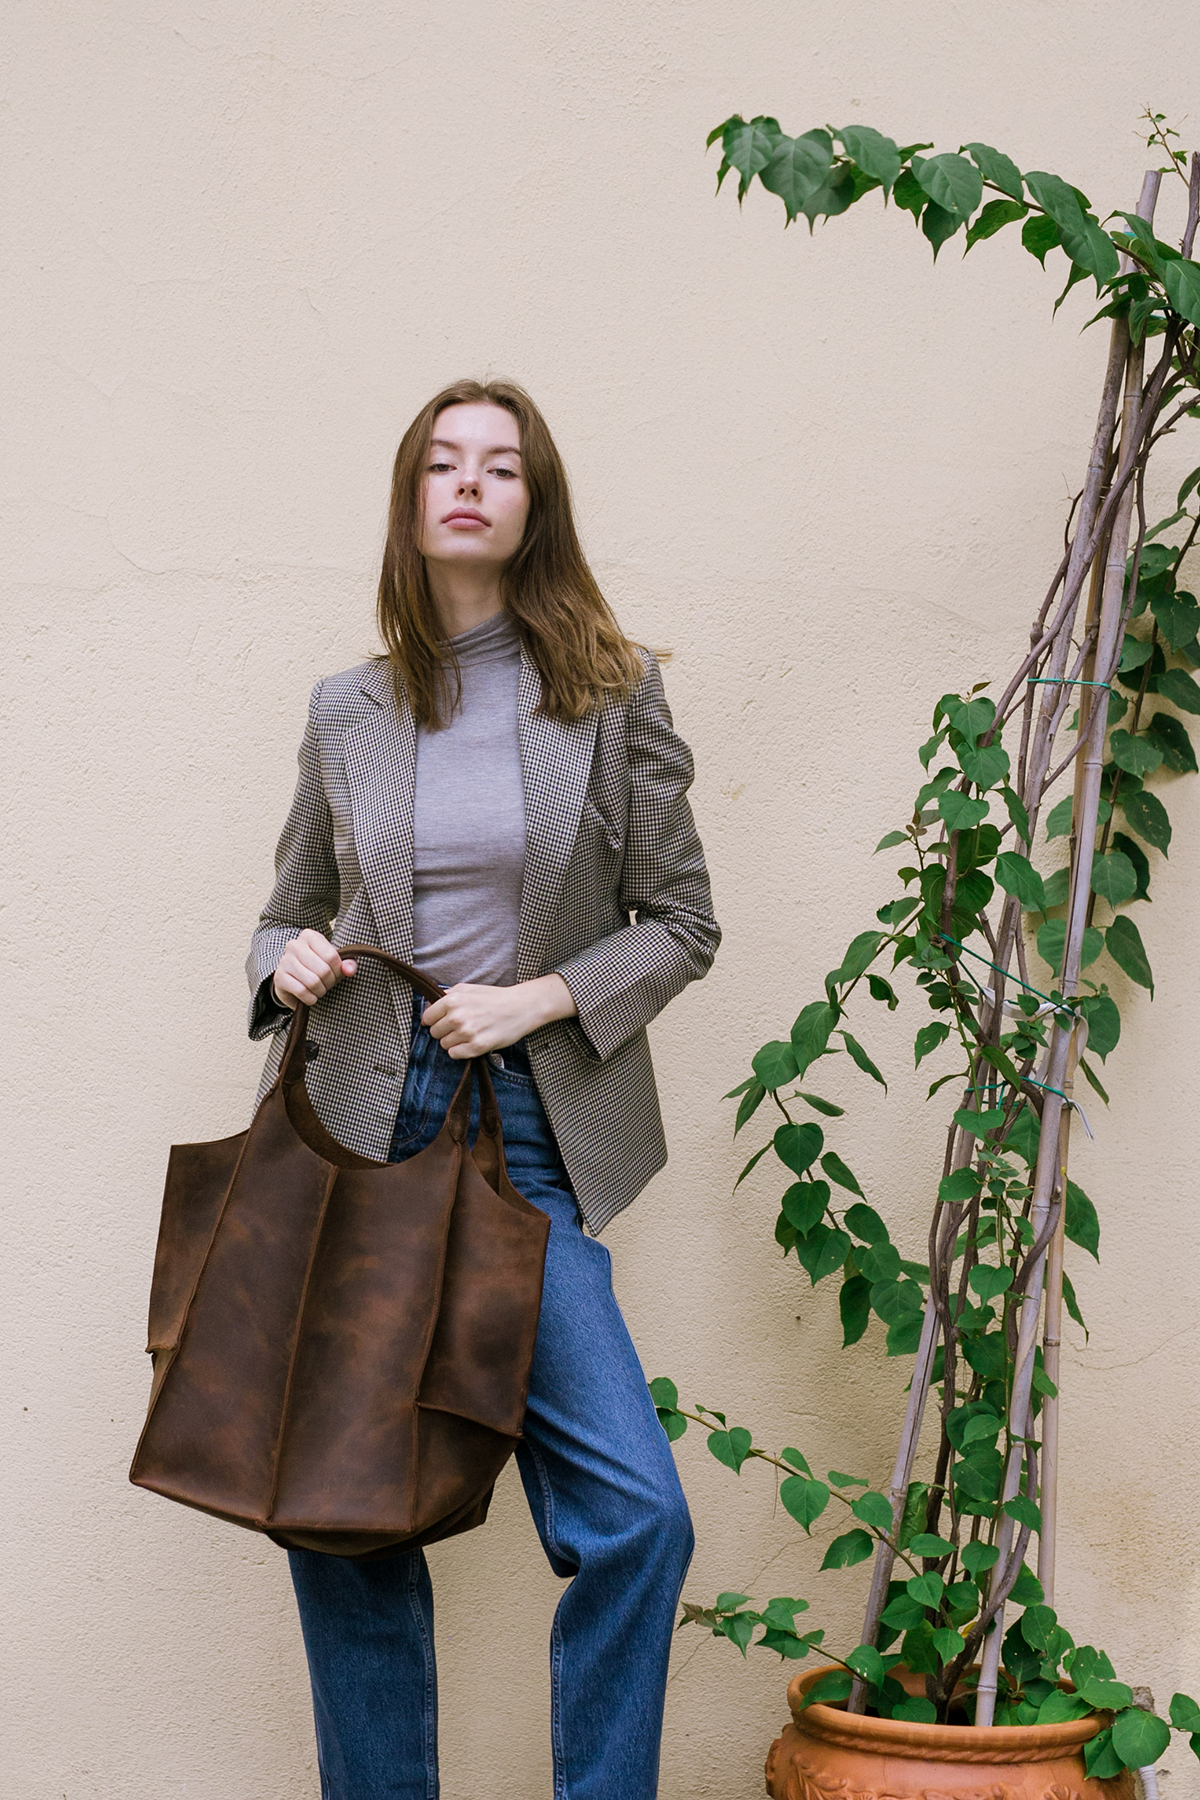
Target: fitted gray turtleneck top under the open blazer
pixel 469 820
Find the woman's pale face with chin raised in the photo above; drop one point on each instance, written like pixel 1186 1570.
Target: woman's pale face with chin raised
pixel 474 498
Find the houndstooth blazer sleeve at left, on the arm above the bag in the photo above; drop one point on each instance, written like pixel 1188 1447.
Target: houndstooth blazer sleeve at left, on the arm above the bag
pixel 307 890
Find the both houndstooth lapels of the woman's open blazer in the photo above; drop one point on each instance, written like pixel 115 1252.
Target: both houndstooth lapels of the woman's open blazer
pixel 382 771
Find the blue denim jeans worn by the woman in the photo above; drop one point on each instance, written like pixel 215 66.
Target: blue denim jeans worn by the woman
pixel 604 1493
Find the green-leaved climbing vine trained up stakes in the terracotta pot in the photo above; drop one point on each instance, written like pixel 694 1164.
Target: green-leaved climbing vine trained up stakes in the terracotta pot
pixel 1014 949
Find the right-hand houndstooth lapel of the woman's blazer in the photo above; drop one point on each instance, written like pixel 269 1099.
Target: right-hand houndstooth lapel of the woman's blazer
pixel 557 764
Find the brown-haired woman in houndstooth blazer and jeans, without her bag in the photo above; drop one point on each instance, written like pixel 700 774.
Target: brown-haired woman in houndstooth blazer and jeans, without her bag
pixel 490 802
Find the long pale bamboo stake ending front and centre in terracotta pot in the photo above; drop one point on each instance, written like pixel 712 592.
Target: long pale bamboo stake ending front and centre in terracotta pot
pixel 1052 1173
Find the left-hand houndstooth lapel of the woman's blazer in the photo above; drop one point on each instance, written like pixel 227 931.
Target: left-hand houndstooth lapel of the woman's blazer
pixel 382 773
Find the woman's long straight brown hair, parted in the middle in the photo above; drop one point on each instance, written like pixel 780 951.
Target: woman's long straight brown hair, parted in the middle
pixel 564 620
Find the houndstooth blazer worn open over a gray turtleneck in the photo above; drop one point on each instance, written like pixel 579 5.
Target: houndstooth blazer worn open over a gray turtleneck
pixel 609 834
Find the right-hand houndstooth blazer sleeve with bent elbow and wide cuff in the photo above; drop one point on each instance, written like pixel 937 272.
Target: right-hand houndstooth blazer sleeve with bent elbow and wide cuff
pixel 625 980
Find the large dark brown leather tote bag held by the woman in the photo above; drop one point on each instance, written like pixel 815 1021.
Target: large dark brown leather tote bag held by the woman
pixel 341 1347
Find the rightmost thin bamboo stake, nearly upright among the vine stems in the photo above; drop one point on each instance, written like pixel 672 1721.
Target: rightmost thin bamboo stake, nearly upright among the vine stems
pixel 1052 1338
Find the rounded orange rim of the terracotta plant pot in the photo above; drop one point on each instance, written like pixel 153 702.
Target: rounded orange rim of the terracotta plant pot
pixel 938 1743
